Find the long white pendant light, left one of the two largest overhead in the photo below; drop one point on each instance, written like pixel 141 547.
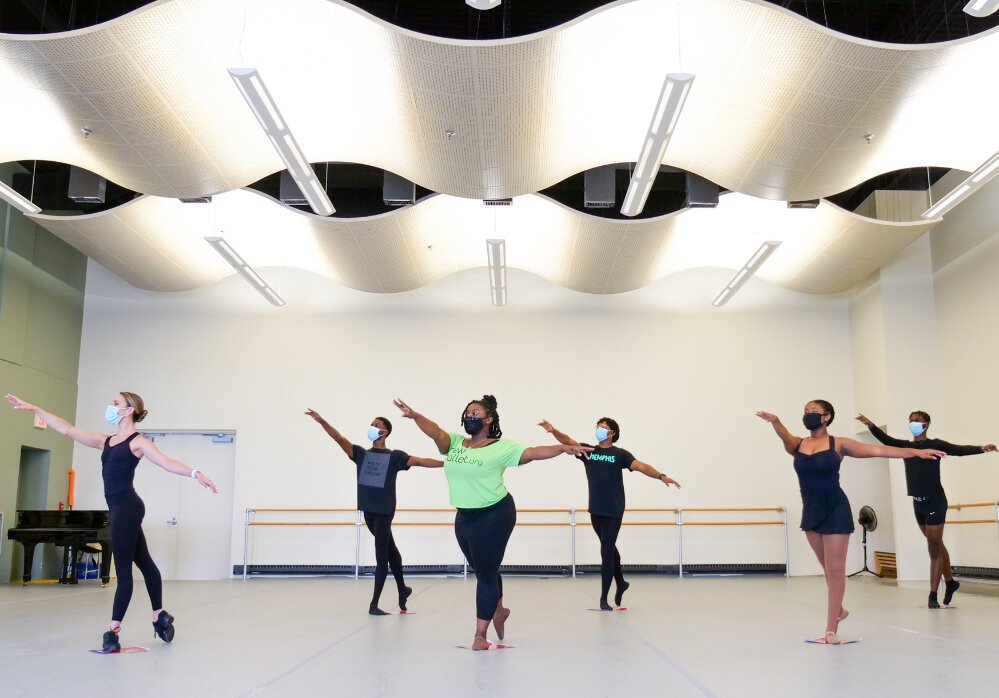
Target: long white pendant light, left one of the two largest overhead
pixel 256 95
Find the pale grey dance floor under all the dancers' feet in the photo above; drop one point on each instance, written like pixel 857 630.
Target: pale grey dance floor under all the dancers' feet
pixel 680 637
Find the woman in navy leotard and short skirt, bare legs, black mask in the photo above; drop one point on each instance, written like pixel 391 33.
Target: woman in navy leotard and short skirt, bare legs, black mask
pixel 825 517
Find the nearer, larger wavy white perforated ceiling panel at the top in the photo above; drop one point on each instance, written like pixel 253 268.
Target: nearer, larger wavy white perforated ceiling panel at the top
pixel 778 110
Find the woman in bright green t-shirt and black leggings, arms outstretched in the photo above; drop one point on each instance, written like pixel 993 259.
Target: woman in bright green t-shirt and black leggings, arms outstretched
pixel 486 514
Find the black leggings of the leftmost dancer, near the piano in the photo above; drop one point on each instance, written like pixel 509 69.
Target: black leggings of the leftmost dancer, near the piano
pixel 129 546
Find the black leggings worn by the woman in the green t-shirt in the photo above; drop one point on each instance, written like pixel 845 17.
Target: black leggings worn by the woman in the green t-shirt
pixel 482 536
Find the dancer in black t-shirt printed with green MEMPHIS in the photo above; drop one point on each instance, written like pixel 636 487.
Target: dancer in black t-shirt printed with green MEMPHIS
pixel 604 469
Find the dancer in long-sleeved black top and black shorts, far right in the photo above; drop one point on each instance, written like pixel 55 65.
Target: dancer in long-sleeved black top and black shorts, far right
pixel 922 479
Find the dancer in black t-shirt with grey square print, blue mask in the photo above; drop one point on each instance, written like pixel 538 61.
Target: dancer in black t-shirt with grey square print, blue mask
pixel 377 468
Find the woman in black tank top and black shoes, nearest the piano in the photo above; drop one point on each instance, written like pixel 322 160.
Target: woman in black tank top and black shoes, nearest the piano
pixel 120 455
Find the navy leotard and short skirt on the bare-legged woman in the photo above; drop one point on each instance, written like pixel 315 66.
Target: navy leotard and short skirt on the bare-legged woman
pixel 825 508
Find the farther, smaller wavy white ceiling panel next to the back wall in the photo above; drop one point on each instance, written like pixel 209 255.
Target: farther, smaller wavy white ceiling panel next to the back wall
pixel 157 244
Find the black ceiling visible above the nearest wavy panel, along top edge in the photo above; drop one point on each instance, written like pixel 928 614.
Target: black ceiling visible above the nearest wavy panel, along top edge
pixel 896 21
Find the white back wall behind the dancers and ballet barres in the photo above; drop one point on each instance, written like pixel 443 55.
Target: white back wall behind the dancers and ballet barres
pixel 682 378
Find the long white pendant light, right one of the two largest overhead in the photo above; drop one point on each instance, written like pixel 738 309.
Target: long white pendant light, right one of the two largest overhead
pixel 671 99
